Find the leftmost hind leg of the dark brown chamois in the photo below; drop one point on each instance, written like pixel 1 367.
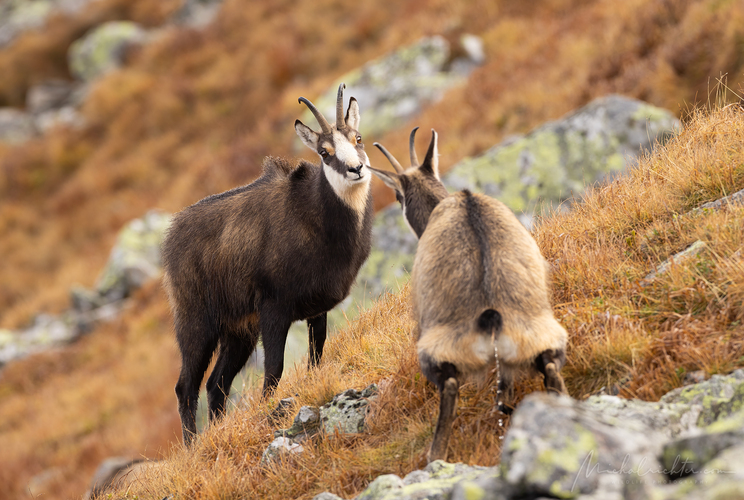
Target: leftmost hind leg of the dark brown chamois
pixel 197 343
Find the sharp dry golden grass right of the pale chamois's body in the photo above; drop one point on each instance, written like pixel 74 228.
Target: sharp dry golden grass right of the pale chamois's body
pixel 687 319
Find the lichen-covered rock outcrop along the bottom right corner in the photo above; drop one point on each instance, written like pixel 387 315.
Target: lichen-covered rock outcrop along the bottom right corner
pixel 604 448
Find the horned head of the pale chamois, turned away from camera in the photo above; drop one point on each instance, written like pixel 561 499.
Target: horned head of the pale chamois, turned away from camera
pixel 418 189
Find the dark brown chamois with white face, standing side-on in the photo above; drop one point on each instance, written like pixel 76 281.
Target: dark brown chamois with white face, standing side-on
pixel 252 260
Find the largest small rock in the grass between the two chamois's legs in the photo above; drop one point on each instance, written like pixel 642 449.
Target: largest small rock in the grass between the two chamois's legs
pixel 347 411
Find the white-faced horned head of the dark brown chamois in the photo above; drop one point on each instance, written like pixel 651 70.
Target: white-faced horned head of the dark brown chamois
pixel 339 146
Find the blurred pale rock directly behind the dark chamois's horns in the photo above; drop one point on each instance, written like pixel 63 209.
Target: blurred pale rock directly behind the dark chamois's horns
pixel 396 87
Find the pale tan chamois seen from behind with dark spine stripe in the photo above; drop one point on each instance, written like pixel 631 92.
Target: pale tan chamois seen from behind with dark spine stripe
pixel 478 282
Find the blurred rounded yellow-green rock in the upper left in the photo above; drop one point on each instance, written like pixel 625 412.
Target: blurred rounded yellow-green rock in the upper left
pixel 103 49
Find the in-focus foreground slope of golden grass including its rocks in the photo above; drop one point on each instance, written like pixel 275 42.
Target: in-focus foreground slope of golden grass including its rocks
pixel 648 277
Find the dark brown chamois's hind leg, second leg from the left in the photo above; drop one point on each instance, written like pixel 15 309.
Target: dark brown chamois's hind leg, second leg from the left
pixel 234 352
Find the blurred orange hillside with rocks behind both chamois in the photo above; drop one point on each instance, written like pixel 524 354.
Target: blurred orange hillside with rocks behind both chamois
pixel 116 113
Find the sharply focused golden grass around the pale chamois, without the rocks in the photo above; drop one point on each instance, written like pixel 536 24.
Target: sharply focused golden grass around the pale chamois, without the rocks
pixel 644 338
